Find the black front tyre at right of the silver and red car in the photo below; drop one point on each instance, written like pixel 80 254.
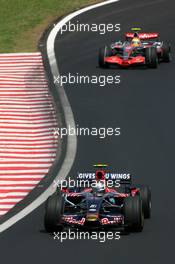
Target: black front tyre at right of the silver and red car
pixel 151 57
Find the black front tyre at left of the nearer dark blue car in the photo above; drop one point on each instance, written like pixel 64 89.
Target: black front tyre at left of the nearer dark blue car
pixel 53 212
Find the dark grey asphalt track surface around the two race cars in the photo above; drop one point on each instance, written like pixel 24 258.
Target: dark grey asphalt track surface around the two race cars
pixel 143 106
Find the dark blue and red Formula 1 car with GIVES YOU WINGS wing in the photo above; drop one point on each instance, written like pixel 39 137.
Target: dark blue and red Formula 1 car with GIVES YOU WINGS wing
pixel 103 200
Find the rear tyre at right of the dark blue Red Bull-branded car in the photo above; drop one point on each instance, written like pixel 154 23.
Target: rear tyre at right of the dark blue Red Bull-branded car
pixel 145 195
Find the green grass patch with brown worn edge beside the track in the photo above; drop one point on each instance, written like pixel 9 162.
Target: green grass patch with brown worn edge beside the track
pixel 23 21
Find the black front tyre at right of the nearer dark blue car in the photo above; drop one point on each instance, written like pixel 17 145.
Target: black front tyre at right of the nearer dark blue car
pixel 133 214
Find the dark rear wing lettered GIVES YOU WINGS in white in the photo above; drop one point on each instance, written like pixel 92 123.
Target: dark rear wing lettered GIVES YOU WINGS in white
pixel 122 178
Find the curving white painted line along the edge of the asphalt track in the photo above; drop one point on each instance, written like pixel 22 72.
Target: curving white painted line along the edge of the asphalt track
pixel 72 141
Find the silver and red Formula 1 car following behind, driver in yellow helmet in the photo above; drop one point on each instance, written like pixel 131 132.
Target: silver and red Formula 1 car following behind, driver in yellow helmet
pixel 137 49
